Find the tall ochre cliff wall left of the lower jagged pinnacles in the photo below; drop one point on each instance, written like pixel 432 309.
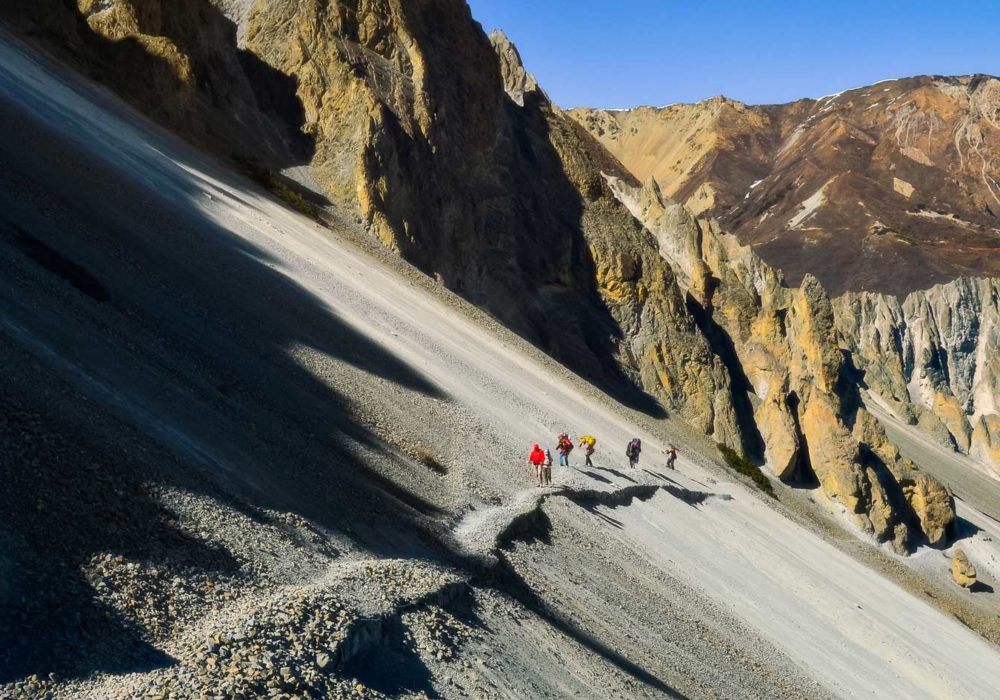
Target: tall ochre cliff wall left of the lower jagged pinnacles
pixel 441 144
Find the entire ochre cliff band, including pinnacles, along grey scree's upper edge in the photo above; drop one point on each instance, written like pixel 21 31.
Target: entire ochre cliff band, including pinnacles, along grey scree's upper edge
pixel 440 142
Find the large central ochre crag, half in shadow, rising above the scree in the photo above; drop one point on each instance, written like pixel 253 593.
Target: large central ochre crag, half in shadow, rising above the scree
pixel 451 155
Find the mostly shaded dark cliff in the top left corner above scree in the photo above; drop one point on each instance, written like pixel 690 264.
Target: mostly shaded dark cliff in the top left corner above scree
pixel 178 62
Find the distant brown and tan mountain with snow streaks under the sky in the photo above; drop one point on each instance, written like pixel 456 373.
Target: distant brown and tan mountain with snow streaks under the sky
pixel 888 188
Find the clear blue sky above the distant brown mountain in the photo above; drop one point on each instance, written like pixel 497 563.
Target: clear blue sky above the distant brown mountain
pixel 622 53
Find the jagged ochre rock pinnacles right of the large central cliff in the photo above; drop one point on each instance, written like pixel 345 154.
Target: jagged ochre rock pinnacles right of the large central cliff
pixel 783 348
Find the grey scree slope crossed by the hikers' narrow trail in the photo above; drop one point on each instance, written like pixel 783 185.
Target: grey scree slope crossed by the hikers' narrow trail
pixel 245 455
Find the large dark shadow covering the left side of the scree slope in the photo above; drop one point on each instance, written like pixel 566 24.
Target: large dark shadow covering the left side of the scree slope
pixel 177 375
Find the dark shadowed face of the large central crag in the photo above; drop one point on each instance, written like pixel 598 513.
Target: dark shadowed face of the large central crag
pixel 485 202
